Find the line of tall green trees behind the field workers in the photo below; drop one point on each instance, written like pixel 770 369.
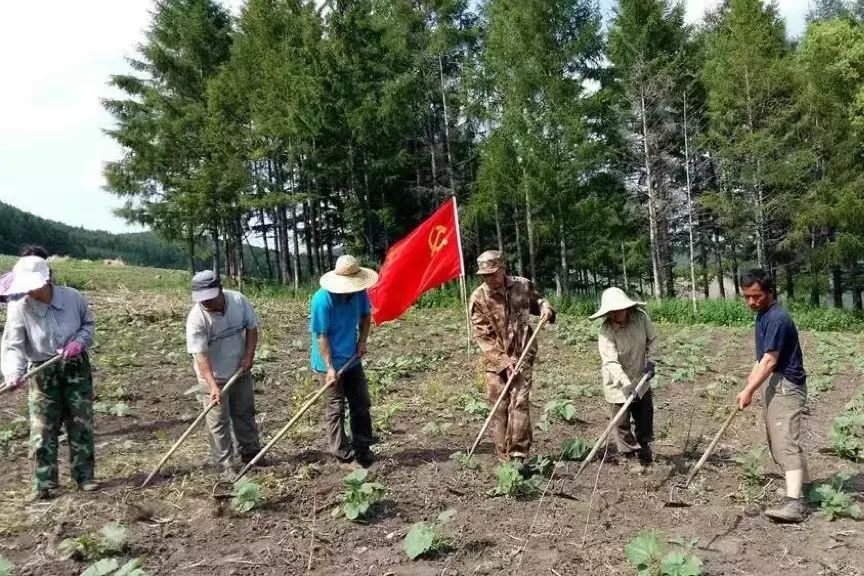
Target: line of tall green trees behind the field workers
pixel 640 151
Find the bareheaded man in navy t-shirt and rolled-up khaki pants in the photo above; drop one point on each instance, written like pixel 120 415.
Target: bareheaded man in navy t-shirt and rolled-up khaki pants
pixel 780 363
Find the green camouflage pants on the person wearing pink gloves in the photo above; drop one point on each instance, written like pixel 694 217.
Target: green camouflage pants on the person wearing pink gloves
pixel 62 394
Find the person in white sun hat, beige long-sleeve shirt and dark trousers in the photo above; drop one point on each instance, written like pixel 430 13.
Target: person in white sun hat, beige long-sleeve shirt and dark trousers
pixel 629 349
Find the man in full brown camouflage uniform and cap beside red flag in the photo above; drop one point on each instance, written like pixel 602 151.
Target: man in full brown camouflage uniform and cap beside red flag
pixel 500 310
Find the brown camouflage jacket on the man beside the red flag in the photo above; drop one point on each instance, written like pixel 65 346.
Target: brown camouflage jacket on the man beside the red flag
pixel 500 319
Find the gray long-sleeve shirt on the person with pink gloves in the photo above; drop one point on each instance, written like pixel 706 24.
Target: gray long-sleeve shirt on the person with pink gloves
pixel 36 331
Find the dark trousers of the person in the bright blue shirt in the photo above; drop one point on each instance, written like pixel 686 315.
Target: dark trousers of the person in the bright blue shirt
pixel 354 389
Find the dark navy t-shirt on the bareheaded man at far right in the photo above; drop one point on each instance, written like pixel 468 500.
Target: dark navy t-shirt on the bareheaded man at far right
pixel 775 331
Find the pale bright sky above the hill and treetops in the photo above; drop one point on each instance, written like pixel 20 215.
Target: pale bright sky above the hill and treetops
pixel 56 62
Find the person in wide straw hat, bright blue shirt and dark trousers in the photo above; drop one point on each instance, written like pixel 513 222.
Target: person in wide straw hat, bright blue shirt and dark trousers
pixel 341 316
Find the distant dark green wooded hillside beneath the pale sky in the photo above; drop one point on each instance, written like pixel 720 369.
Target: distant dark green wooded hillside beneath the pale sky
pixel 19 228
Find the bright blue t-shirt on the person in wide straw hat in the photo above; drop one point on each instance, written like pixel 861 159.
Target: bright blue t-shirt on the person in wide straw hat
pixel 338 318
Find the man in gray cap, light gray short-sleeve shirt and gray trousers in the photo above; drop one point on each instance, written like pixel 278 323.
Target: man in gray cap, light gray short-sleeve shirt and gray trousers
pixel 221 335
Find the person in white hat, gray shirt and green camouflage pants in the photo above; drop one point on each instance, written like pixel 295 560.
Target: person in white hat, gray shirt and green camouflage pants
pixel 48 321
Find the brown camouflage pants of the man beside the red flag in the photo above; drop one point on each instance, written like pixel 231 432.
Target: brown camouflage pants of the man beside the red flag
pixel 511 424
